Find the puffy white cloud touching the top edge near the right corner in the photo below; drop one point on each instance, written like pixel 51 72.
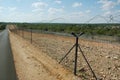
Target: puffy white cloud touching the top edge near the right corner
pixel 107 4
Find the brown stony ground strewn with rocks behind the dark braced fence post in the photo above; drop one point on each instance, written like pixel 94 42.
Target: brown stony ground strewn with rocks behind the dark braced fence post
pixel 103 57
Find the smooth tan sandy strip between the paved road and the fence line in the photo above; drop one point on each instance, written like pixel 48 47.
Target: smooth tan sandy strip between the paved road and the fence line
pixel 33 64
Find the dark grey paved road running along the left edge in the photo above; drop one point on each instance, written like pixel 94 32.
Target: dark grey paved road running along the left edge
pixel 7 68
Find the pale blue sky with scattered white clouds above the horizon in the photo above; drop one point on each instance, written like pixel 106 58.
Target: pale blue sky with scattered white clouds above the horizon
pixel 60 11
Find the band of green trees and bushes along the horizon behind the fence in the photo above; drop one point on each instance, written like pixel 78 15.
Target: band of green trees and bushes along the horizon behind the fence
pixel 91 29
